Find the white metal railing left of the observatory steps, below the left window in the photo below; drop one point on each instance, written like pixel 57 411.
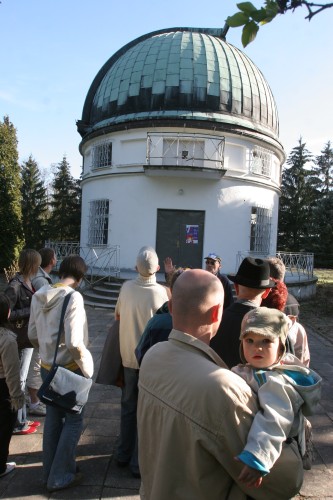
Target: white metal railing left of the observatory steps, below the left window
pixel 102 263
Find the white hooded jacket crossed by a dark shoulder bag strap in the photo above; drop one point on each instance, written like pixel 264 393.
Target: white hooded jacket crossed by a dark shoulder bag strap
pixel 44 323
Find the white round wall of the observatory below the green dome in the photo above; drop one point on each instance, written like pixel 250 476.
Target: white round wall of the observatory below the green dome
pixel 135 197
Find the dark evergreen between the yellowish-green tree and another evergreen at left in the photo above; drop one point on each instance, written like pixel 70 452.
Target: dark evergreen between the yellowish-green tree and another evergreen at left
pixel 34 205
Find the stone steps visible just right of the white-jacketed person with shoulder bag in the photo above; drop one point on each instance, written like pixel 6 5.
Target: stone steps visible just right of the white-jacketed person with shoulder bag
pixel 103 295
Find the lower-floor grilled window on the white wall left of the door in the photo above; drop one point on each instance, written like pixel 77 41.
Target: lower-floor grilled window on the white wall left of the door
pixel 98 223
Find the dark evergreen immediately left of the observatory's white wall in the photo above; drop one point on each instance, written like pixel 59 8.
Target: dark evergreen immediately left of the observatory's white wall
pixel 65 217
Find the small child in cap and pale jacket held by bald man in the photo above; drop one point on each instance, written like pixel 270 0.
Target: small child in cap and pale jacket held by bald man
pixel 286 390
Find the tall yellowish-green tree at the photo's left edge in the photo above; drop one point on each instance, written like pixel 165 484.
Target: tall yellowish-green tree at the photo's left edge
pixel 11 241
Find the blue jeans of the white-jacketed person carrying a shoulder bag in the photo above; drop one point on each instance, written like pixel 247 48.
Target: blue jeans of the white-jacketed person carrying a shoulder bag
pixel 62 432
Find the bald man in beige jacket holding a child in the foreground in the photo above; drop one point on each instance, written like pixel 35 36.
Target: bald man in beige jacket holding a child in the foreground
pixel 194 414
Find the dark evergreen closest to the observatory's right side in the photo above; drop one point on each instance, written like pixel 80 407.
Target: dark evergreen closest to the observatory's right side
pixel 299 195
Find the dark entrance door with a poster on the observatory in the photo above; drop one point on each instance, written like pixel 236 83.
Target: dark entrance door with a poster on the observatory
pixel 180 235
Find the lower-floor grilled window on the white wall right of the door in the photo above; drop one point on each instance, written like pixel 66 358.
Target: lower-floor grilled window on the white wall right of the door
pixel 261 223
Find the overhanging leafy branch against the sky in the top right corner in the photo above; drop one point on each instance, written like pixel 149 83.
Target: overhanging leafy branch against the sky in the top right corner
pixel 252 18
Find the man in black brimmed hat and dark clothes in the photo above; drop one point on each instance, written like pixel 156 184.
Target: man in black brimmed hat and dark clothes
pixel 252 284
